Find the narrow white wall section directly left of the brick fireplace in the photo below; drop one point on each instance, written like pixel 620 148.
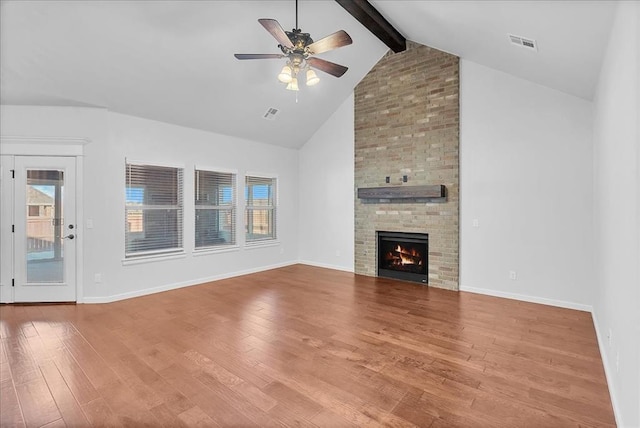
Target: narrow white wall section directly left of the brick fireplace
pixel 326 193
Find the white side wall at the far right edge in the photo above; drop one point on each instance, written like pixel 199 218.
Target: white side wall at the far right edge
pixel 617 213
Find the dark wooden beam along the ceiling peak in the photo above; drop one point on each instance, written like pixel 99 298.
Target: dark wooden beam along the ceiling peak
pixel 369 16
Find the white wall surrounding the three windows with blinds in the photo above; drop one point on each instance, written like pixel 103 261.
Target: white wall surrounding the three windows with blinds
pixel 116 137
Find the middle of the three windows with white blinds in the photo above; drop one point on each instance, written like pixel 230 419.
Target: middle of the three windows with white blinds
pixel 215 201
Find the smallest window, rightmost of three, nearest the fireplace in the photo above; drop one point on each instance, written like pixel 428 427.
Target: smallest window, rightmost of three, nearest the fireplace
pixel 260 214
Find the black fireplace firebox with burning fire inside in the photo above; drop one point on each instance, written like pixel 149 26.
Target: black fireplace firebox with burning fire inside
pixel 403 256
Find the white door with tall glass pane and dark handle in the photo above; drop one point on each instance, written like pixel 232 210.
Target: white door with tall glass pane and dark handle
pixel 45 230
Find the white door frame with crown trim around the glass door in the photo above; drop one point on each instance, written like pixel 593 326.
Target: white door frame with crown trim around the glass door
pixel 12 146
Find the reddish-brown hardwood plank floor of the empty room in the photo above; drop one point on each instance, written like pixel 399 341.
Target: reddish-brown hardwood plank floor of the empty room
pixel 302 346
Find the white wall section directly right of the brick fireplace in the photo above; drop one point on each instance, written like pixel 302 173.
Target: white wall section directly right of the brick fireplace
pixel 526 176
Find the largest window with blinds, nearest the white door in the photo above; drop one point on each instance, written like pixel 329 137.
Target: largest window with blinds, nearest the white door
pixel 153 210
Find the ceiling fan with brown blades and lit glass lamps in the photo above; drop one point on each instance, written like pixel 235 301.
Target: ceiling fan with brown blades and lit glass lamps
pixel 298 48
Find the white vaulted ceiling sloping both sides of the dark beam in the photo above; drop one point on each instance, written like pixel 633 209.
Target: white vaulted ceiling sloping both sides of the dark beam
pixel 173 61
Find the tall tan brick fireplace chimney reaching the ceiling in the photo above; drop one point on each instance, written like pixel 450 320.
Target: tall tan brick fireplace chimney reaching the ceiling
pixel 407 136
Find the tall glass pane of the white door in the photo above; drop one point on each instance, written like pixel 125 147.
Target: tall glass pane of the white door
pixel 44 211
